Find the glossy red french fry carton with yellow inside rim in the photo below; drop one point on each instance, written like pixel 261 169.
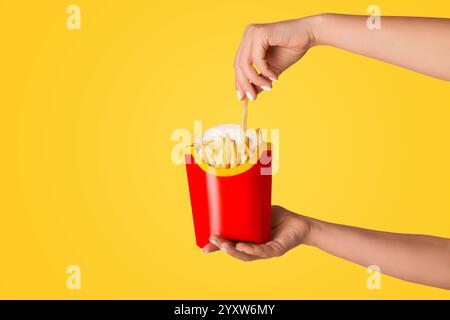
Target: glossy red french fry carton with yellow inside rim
pixel 234 203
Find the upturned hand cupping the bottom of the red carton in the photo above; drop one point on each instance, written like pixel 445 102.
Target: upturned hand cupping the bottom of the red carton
pixel 288 231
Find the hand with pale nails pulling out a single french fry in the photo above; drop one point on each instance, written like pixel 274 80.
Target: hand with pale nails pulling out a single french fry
pixel 272 48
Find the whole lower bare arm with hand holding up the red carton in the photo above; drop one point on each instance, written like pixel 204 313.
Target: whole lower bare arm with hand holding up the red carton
pixel 415 258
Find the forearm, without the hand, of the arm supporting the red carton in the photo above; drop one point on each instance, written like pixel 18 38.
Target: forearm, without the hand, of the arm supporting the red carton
pixel 416 258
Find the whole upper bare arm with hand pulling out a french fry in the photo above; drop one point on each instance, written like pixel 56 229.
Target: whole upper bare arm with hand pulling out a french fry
pixel 419 44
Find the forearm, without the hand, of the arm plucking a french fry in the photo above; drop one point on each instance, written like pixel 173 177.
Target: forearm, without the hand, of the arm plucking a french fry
pixel 419 44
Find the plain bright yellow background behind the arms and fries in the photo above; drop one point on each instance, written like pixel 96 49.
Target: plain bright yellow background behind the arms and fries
pixel 85 170
